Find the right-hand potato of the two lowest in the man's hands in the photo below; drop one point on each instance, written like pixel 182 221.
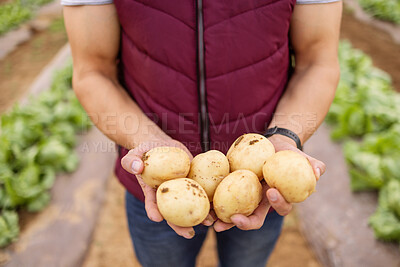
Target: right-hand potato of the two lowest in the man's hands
pixel 239 193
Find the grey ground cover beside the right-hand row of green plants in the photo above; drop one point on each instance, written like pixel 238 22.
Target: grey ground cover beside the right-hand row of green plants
pixel 335 220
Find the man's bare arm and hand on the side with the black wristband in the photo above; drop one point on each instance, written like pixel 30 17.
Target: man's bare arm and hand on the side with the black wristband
pixel 314 36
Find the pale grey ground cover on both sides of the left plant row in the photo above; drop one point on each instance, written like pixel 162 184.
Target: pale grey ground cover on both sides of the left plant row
pixel 76 198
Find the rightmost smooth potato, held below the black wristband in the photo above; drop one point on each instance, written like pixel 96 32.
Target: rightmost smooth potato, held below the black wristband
pixel 290 173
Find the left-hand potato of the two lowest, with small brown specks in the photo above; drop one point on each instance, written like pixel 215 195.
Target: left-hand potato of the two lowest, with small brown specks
pixel 182 202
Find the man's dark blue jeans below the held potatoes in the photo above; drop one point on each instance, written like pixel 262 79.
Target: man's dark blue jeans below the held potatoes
pixel 156 244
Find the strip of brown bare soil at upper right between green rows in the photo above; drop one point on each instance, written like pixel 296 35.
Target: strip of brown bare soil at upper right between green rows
pixel 377 44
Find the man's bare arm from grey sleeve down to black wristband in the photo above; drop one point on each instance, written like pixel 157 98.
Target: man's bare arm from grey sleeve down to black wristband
pixel 314 36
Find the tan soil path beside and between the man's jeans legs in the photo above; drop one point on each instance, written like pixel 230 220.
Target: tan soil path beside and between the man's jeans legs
pixel 111 245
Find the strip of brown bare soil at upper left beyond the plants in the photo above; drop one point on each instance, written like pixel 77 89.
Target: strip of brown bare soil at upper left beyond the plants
pixel 20 68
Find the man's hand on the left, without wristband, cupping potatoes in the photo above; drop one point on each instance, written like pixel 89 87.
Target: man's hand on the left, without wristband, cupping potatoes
pixel 132 162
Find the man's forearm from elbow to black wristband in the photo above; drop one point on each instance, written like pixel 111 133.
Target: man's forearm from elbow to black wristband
pixel 307 99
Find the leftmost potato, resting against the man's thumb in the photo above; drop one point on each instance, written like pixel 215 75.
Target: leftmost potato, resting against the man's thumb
pixel 164 163
